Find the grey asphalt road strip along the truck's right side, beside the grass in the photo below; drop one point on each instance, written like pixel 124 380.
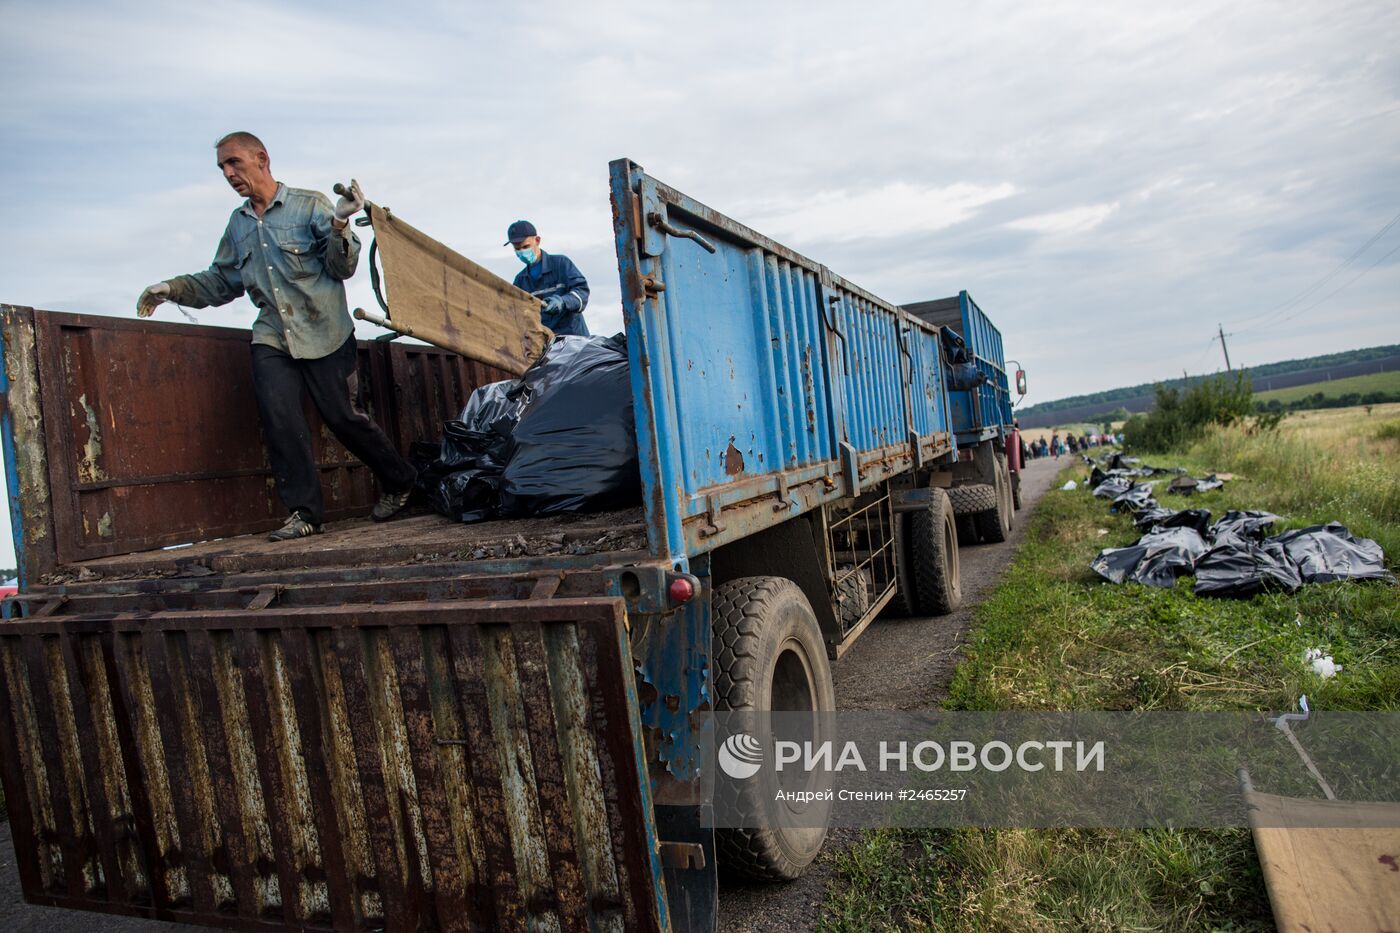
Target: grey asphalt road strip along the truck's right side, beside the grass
pixel 897 665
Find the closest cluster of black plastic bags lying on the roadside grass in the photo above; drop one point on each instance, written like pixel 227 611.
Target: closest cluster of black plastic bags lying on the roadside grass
pixel 1235 557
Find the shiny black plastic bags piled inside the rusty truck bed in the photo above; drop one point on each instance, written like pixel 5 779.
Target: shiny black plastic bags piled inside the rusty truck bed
pixel 556 441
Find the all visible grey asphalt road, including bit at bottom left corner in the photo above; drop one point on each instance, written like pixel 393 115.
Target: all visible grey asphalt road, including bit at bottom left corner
pixel 897 665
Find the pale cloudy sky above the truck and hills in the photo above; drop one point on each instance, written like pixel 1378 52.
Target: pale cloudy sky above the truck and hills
pixel 1108 183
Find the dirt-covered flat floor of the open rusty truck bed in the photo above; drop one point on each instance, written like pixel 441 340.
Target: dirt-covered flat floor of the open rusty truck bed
pixel 423 539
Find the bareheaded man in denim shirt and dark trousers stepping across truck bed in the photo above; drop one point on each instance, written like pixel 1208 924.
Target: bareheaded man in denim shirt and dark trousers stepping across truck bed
pixel 290 251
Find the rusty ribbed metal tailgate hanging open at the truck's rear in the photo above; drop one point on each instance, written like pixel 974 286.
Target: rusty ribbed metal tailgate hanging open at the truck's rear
pixel 435 766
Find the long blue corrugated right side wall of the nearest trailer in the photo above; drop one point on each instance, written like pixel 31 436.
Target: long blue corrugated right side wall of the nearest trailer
pixel 764 383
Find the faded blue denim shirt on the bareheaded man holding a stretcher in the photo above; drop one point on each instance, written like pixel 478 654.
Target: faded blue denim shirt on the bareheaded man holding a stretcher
pixel 293 265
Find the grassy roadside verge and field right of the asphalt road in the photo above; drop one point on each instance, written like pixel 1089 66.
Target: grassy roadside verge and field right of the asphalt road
pixel 1055 637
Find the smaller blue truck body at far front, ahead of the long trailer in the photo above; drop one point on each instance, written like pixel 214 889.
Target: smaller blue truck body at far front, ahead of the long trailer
pixel 986 488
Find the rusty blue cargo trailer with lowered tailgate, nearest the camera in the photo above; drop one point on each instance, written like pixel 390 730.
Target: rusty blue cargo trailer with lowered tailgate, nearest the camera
pixel 425 725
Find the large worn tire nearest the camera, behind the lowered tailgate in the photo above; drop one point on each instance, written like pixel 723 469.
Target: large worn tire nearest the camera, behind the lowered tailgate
pixel 769 655
